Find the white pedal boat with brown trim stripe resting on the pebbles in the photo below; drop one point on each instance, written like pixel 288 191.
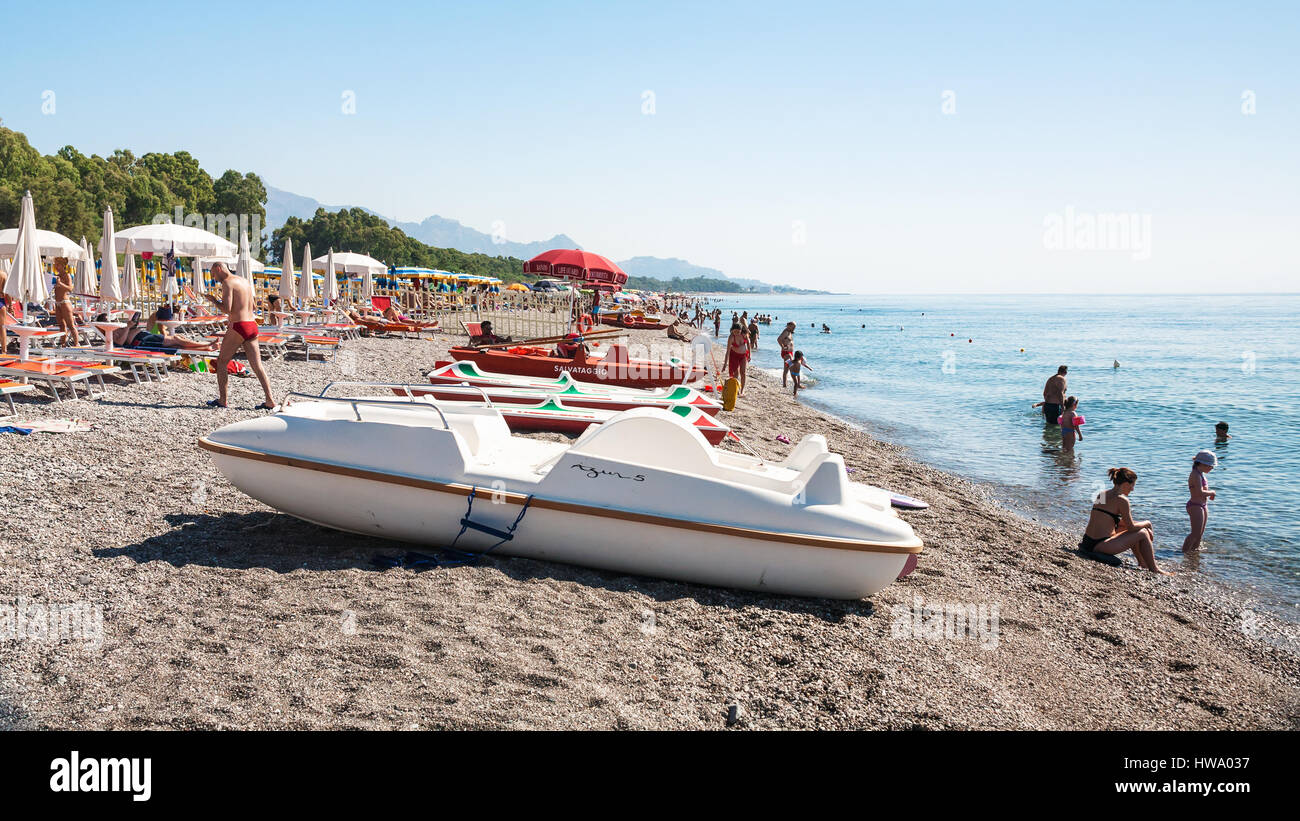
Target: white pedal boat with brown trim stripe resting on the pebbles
pixel 642 494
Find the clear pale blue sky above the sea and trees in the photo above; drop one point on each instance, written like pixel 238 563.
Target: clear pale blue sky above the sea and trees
pixel 773 124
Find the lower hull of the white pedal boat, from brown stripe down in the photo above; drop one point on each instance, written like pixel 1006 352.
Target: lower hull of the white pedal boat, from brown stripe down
pixel 430 514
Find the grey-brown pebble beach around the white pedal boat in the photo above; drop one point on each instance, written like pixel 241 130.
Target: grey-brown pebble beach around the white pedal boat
pixel 222 614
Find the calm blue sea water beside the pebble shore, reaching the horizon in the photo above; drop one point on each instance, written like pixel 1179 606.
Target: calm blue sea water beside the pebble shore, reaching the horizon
pixel 1185 364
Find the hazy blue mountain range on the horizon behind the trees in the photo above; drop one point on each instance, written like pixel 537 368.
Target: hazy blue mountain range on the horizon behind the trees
pixel 444 233
